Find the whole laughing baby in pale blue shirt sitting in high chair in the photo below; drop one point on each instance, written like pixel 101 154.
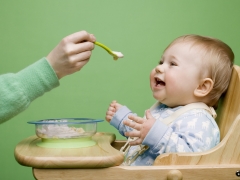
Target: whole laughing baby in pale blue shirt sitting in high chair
pixel 193 73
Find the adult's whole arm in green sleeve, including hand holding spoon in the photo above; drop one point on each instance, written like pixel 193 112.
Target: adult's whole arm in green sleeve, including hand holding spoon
pixel 18 90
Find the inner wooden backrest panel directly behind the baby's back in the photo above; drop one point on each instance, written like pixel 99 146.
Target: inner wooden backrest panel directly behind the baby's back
pixel 230 103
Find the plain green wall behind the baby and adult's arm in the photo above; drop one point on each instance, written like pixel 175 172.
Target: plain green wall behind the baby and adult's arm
pixel 140 29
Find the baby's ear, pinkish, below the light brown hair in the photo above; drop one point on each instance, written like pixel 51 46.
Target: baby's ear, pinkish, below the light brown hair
pixel 204 88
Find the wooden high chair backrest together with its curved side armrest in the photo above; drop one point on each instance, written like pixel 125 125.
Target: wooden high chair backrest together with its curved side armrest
pixel 227 151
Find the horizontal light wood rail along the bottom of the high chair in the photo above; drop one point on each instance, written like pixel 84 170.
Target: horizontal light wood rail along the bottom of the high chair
pixel 198 172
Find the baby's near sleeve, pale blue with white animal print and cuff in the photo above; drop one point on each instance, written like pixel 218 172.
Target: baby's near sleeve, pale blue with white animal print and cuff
pixel 194 133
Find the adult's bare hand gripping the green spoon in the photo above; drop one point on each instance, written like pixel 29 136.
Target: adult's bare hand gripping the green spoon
pixel 72 53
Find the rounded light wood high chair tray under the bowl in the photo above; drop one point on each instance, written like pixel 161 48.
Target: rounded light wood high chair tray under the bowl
pixel 102 154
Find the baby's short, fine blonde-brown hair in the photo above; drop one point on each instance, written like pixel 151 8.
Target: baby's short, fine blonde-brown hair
pixel 218 59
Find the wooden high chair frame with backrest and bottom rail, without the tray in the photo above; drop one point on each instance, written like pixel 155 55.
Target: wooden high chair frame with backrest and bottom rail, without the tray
pixel 221 162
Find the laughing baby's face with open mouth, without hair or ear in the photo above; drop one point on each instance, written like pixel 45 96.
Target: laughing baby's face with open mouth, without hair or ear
pixel 175 78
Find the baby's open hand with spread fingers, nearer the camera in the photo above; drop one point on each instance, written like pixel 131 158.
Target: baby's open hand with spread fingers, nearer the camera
pixel 141 127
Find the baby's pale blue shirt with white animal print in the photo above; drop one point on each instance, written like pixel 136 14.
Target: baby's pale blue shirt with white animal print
pixel 193 131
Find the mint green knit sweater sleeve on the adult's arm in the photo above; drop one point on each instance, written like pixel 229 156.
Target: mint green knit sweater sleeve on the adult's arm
pixel 18 90
